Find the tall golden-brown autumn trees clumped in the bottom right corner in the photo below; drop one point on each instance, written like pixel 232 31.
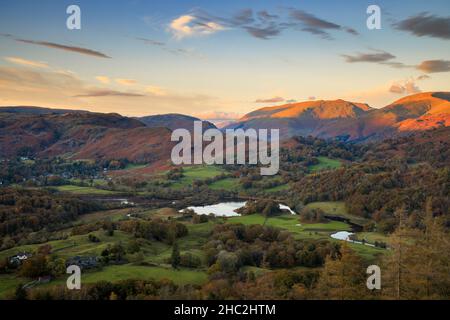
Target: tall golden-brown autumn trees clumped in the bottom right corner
pixel 419 262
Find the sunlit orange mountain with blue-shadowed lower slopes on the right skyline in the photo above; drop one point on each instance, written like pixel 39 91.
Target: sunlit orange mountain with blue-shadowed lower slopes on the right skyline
pixel 353 121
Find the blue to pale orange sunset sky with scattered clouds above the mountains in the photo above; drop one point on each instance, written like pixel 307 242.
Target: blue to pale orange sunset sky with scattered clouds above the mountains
pixel 219 59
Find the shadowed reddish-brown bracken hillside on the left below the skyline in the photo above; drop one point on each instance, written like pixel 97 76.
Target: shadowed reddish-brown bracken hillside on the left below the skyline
pixel 82 135
